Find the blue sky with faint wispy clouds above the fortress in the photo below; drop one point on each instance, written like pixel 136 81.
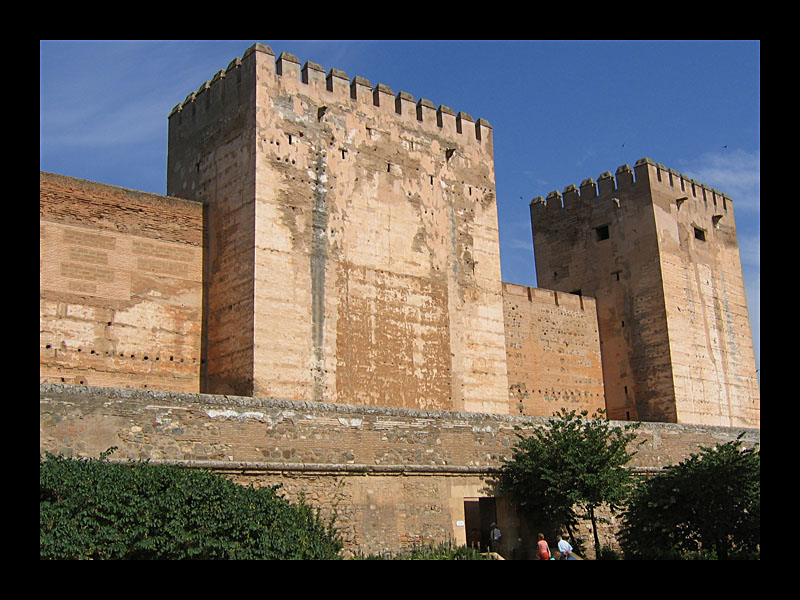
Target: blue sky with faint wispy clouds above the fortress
pixel 561 111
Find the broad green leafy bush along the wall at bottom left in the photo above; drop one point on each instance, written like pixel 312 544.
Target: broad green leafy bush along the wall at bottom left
pixel 94 509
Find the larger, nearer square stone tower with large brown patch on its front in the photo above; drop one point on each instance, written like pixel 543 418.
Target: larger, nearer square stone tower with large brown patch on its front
pixel 352 245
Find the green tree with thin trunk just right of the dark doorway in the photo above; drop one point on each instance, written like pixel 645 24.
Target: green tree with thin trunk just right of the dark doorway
pixel 573 463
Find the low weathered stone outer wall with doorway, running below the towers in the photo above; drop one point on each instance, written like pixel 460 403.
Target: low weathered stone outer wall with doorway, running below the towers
pixel 394 476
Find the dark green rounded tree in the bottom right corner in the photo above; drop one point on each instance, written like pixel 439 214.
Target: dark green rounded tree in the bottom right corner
pixel 709 505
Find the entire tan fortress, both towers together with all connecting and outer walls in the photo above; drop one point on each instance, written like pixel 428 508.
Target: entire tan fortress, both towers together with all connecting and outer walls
pixel 317 303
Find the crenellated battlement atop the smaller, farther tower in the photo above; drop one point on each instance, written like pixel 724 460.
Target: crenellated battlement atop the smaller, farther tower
pixel 609 186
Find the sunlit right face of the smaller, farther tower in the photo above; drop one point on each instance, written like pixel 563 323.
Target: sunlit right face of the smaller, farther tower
pixel 709 326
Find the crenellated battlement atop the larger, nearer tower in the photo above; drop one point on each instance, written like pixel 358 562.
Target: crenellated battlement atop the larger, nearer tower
pixel 357 91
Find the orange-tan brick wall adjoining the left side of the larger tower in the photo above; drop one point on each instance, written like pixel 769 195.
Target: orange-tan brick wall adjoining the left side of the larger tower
pixel 120 275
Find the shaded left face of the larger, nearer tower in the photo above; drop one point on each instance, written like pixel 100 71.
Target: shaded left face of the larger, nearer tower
pixel 211 159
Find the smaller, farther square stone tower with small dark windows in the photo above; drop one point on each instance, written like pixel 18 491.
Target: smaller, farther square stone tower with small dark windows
pixel 659 253
